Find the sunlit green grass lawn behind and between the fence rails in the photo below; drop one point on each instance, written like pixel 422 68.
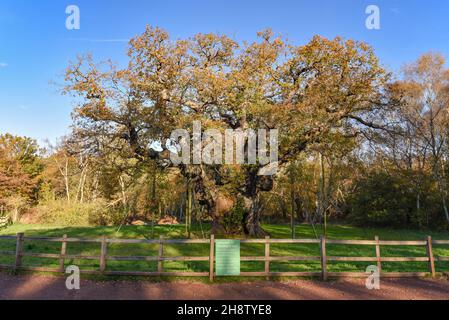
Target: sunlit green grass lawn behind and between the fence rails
pixel 276 231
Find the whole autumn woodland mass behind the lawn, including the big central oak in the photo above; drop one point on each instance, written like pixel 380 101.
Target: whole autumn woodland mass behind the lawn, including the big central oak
pixel 358 144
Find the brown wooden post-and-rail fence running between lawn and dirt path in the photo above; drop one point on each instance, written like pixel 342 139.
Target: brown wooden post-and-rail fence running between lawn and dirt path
pixel 323 258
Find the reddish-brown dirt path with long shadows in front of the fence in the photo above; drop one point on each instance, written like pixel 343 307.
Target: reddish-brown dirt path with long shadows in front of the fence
pixel 44 287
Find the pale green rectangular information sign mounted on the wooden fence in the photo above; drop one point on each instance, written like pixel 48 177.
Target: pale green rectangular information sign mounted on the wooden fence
pixel 227 257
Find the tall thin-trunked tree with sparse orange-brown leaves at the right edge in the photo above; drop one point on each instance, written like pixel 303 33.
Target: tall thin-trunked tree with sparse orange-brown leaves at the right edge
pixel 424 99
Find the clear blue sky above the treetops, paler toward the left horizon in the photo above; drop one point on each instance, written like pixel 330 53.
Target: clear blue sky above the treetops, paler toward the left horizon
pixel 35 45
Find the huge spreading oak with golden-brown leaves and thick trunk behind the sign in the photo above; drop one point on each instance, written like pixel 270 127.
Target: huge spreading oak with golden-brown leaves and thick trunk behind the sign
pixel 315 92
